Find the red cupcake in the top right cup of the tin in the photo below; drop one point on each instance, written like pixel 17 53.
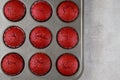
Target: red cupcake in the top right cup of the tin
pixel 68 11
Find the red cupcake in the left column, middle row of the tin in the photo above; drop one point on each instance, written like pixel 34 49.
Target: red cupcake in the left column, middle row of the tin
pixel 14 37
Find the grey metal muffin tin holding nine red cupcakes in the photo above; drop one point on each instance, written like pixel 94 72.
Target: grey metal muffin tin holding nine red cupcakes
pixel 41 40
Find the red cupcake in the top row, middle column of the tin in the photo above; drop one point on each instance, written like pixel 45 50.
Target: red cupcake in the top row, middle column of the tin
pixel 41 11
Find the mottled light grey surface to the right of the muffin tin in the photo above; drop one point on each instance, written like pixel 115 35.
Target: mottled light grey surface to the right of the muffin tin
pixel 102 40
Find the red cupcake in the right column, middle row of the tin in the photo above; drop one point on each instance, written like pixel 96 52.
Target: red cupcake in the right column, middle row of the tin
pixel 67 37
